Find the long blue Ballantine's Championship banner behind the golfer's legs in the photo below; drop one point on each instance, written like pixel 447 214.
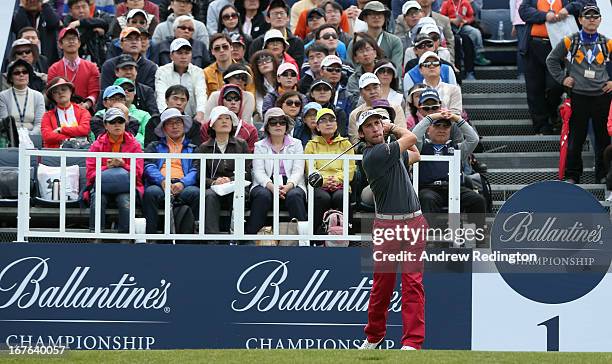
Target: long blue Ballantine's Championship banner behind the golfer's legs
pixel 115 296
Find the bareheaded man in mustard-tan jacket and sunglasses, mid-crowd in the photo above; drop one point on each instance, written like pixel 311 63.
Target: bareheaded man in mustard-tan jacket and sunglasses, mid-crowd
pixel 220 48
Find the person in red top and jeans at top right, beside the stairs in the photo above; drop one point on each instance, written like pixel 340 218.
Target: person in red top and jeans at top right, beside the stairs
pixel 461 15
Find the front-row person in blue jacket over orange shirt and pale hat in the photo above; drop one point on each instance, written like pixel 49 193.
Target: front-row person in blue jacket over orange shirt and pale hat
pixel 183 177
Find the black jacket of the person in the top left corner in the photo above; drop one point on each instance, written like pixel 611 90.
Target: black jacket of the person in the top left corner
pixel 48 28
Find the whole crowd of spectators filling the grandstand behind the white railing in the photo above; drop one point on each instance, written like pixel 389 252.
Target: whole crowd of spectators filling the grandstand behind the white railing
pixel 252 76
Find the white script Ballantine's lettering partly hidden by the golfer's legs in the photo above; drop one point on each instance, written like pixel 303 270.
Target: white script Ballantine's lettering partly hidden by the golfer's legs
pixel 268 295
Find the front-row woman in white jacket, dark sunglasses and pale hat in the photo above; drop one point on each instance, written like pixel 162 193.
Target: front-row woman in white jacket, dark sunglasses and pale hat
pixel 291 187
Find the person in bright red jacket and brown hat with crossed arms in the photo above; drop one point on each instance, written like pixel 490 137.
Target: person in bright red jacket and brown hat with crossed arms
pixel 66 120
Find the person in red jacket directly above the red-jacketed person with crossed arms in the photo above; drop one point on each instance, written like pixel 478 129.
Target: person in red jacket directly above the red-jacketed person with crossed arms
pixel 83 74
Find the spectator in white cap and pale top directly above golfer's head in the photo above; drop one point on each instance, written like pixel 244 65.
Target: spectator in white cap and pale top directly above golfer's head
pixel 370 91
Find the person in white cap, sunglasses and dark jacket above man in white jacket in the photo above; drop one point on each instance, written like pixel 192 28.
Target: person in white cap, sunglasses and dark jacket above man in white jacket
pixel 183 28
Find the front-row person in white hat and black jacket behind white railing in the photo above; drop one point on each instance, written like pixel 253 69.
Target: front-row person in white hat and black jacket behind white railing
pixel 222 127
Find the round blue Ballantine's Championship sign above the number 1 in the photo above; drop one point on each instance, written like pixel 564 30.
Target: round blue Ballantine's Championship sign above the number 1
pixel 563 238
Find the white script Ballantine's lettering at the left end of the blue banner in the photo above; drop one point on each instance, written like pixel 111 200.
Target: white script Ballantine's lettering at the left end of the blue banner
pixel 28 291
